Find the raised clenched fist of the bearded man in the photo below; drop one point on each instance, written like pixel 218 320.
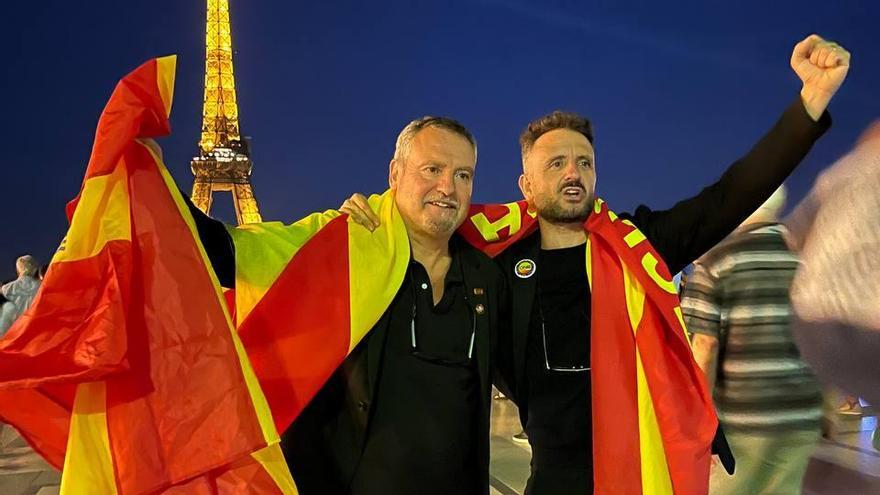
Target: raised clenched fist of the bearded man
pixel 822 66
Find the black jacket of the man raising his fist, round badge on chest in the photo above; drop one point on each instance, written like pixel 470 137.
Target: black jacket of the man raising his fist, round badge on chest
pixel 680 234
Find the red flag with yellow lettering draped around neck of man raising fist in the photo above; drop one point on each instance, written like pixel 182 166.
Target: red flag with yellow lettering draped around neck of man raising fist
pixel 653 418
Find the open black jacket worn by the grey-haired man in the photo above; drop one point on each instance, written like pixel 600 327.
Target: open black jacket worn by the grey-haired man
pixel 325 443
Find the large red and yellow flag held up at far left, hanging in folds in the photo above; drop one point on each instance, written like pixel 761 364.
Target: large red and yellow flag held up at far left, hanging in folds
pixel 126 372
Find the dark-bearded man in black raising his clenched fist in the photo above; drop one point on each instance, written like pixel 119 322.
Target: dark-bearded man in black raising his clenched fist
pixel 546 360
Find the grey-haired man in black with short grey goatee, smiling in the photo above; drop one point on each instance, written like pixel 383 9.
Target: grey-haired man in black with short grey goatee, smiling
pixel 408 410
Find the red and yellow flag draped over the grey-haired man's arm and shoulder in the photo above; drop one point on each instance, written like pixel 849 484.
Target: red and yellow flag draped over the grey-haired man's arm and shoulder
pixel 307 293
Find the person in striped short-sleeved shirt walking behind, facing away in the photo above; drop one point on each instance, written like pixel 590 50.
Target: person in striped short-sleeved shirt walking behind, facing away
pixel 737 306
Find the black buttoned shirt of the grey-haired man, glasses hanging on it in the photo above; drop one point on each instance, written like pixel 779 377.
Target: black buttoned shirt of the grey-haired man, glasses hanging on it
pixel 438 384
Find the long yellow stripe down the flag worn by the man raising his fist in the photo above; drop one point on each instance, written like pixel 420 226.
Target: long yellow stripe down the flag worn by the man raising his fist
pixel 655 471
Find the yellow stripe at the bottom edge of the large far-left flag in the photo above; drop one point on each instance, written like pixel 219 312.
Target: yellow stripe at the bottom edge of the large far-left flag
pixel 88 464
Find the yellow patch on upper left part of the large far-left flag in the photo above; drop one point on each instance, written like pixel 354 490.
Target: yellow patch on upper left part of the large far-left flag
pixel 102 215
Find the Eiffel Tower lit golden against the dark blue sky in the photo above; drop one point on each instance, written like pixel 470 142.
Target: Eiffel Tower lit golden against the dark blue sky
pixel 224 162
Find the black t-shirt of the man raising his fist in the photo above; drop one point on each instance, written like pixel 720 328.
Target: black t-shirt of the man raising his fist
pixel 559 401
